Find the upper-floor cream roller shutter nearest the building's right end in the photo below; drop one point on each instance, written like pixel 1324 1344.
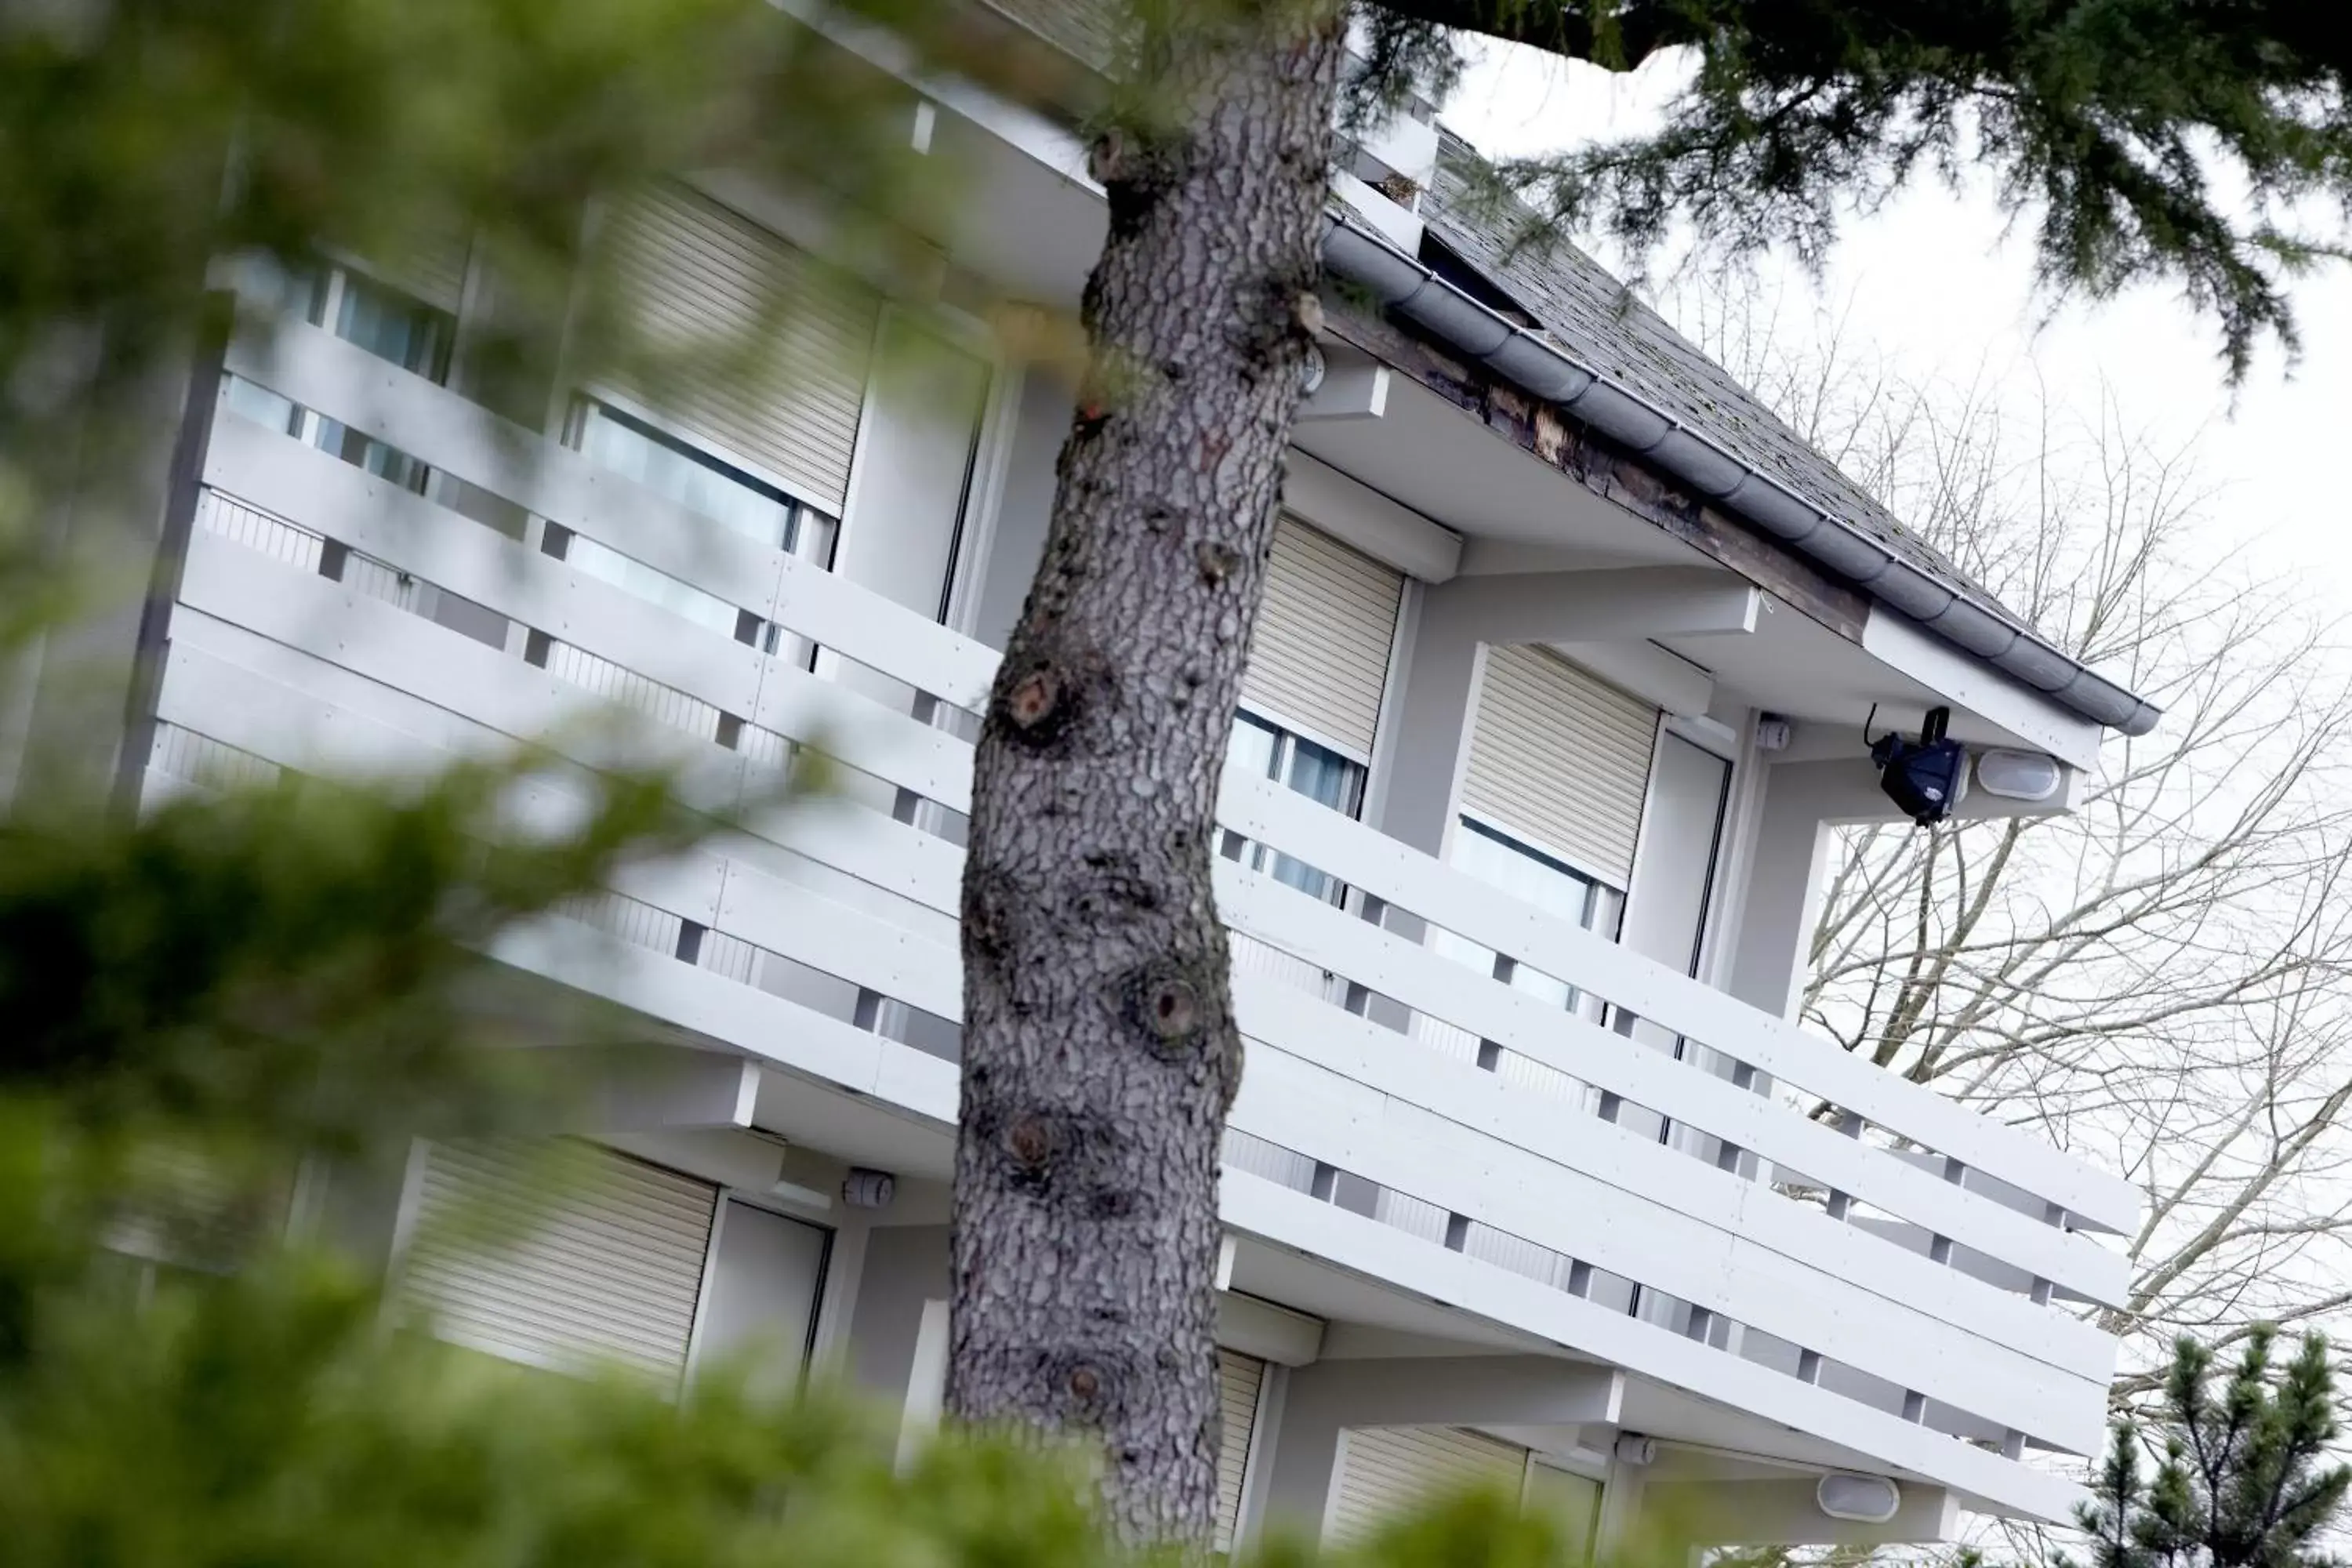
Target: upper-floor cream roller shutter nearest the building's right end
pixel 1563 758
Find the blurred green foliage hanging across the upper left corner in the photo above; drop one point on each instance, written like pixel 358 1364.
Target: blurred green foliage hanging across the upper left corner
pixel 156 154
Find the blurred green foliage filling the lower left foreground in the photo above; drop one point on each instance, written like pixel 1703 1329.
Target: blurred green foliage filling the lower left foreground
pixel 243 984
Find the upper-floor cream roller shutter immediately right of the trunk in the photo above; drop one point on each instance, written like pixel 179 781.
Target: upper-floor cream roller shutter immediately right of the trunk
pixel 1325 626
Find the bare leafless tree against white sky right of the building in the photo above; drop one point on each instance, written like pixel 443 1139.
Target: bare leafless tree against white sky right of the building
pixel 2160 979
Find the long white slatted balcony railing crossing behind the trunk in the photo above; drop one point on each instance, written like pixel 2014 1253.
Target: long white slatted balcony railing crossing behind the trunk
pixel 1904 1278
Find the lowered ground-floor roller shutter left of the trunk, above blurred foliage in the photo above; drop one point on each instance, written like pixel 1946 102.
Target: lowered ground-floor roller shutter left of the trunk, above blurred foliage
pixel 599 1268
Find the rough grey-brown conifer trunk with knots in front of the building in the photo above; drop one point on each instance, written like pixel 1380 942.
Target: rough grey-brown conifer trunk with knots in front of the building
pixel 1100 1040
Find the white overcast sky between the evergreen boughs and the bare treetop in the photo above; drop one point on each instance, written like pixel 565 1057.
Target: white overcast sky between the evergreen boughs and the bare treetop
pixel 1935 286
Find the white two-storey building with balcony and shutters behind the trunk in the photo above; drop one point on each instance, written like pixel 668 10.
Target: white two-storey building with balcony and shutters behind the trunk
pixel 1546 723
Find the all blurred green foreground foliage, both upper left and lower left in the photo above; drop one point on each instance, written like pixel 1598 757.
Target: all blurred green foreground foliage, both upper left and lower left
pixel 213 1003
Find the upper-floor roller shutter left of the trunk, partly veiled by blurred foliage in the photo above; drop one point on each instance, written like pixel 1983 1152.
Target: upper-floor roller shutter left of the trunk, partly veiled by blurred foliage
pixel 702 279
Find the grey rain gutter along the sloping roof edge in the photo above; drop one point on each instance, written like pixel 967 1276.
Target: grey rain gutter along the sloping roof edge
pixel 1546 370
